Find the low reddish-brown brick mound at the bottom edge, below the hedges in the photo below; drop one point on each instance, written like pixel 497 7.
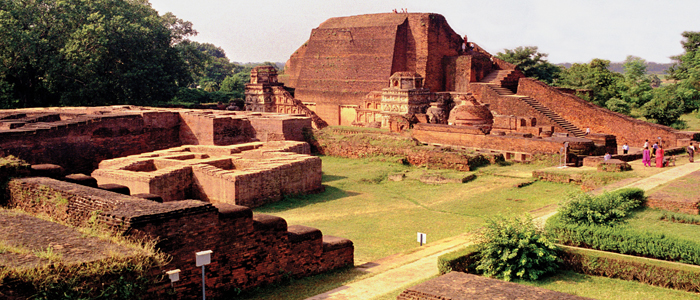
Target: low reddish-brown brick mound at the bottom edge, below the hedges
pixel 463 286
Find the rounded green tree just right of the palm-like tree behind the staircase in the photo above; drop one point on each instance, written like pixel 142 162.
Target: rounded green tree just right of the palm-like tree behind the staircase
pixel 593 76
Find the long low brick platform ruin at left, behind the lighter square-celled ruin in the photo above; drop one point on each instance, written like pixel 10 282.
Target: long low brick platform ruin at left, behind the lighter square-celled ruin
pixel 99 133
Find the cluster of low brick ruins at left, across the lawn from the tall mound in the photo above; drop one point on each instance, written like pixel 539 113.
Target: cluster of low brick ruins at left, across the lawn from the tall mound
pixel 184 177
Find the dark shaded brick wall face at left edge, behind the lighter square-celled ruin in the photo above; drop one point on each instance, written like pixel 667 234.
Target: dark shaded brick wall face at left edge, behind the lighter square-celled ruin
pixel 79 142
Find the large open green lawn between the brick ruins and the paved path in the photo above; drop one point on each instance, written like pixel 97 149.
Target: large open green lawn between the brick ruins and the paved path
pixel 382 217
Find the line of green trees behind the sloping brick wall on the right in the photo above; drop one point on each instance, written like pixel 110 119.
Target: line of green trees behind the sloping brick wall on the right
pixel 634 92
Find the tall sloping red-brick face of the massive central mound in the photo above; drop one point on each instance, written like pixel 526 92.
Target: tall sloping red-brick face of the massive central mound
pixel 346 58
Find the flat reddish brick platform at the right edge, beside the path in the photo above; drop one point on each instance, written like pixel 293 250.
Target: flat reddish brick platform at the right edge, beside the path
pixel 680 195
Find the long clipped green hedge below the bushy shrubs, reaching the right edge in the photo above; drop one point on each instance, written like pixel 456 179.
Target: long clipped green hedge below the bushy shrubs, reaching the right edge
pixel 622 239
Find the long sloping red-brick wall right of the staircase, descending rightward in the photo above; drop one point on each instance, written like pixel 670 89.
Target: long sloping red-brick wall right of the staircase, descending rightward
pixel 584 114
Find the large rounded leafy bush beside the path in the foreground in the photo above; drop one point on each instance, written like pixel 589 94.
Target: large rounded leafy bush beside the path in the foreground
pixel 515 248
